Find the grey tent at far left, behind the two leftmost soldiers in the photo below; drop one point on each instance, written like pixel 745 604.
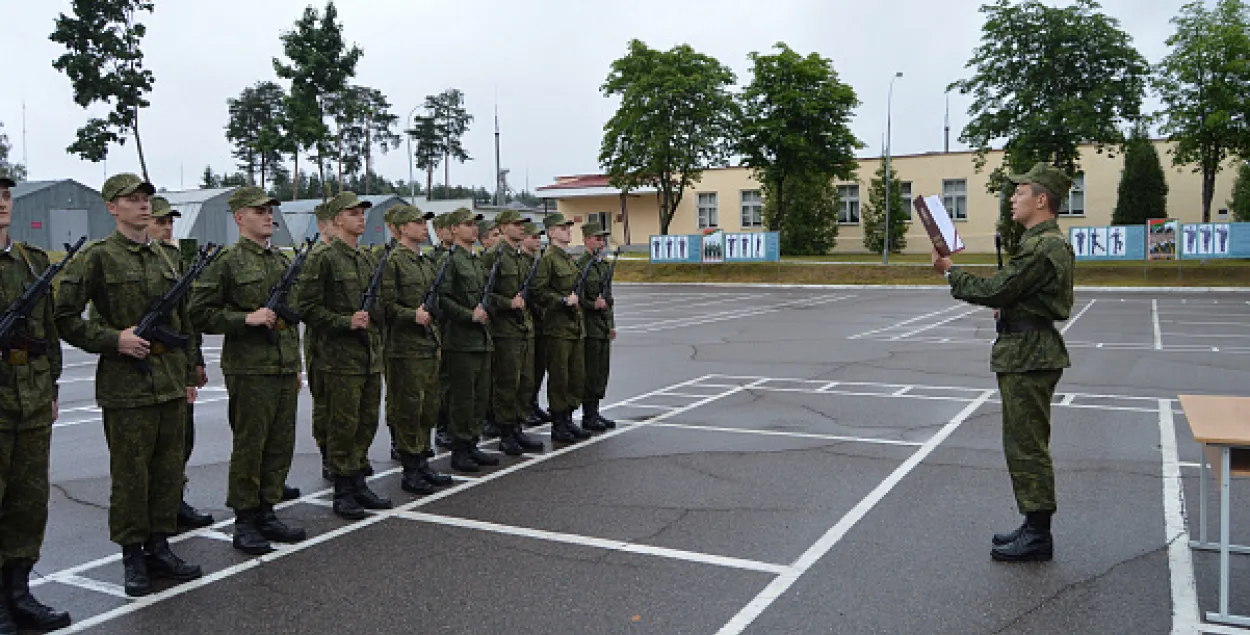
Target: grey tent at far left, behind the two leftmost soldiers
pixel 53 213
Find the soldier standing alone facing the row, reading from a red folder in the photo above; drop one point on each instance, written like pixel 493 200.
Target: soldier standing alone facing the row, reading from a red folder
pixel 1029 357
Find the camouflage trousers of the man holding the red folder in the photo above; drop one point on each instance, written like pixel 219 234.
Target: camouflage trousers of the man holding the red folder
pixel 1027 437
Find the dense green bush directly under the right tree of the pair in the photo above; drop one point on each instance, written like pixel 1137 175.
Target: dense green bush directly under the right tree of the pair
pixel 811 226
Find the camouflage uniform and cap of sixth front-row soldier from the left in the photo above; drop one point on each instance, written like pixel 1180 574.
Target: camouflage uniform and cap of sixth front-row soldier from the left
pixel 467 346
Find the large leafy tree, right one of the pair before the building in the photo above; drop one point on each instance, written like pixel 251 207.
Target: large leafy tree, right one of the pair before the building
pixel 797 122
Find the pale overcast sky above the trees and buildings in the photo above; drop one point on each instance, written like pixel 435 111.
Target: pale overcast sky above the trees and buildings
pixel 544 61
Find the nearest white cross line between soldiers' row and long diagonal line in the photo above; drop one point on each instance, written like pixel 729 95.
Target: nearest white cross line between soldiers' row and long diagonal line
pixel 597 543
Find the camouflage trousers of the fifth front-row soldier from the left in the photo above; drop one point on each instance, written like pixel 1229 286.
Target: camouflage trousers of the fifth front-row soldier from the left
pixel 412 402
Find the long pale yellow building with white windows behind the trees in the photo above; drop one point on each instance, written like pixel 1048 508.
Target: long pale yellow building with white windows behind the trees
pixel 729 198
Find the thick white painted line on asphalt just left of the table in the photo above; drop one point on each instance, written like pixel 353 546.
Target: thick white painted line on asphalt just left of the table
pixel 1184 593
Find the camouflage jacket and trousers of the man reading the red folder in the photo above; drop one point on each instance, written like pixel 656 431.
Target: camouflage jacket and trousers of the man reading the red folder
pixel 1032 293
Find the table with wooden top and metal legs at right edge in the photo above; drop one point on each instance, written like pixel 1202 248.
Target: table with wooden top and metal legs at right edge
pixel 1222 424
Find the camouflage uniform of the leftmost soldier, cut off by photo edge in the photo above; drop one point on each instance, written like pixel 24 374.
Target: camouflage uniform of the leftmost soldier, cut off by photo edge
pixel 28 388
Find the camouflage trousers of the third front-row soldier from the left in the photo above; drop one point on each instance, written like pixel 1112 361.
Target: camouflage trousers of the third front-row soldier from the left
pixel 263 411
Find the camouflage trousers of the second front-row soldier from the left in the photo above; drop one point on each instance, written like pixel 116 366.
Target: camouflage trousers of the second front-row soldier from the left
pixel 147 469
